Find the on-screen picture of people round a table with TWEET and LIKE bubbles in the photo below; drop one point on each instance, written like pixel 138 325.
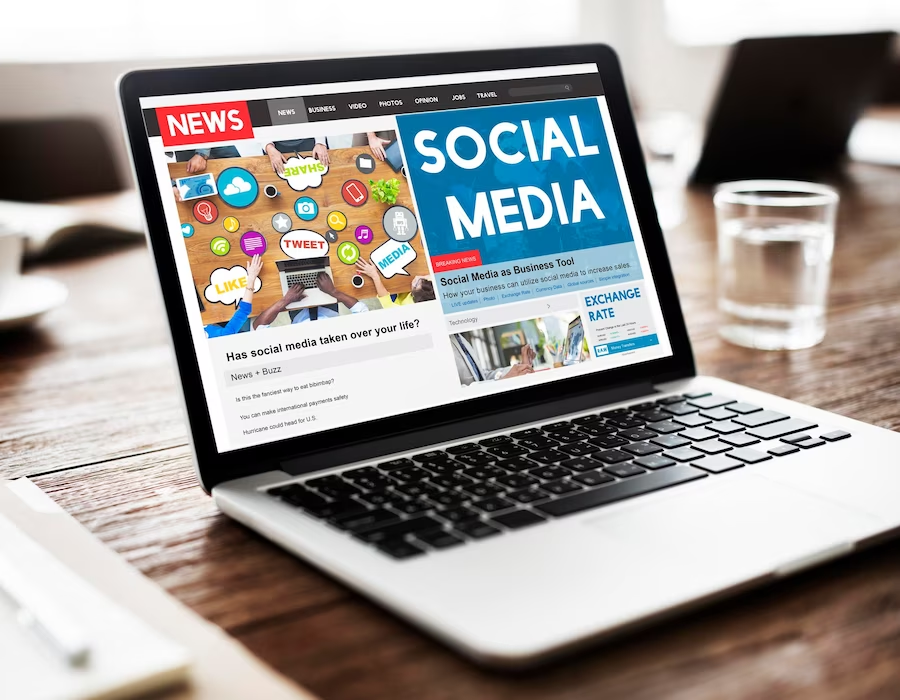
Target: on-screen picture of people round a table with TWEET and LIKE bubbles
pixel 296 230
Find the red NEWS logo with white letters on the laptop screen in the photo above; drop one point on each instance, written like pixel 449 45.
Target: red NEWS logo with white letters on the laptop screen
pixel 189 124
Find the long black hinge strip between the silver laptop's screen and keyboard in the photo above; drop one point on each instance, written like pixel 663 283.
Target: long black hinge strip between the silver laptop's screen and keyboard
pixel 461 429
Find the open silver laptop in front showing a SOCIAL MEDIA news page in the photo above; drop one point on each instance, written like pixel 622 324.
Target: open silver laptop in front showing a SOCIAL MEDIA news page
pixel 521 517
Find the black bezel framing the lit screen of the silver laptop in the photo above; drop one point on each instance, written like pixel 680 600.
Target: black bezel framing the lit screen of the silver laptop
pixel 215 467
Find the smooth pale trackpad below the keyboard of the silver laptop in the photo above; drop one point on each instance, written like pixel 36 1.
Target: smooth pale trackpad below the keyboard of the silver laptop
pixel 741 525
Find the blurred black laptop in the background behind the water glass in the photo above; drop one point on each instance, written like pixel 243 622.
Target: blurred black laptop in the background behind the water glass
pixel 786 105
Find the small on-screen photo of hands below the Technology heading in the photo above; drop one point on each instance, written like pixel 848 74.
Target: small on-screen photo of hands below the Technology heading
pixel 515 349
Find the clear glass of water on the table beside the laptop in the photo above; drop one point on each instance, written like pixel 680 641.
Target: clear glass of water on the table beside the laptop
pixel 775 244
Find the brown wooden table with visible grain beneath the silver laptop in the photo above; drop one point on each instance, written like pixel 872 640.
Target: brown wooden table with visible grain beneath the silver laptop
pixel 89 410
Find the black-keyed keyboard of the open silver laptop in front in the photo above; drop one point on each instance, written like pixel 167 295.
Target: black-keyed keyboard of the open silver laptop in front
pixel 445 498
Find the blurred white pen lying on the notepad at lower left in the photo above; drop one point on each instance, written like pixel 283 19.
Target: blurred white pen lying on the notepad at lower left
pixel 44 618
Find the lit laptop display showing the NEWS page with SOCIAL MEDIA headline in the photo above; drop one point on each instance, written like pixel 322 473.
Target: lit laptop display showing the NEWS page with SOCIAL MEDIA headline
pixel 355 251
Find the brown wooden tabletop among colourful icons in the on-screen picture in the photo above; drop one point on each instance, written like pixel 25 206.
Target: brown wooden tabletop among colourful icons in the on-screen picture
pixel 258 217
